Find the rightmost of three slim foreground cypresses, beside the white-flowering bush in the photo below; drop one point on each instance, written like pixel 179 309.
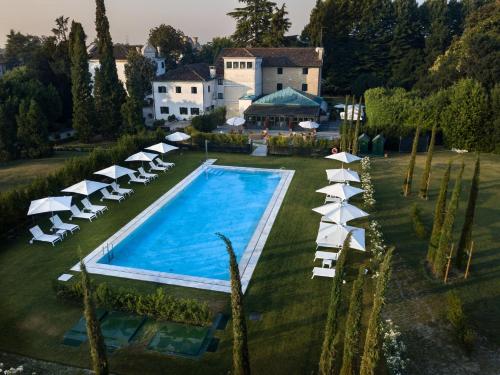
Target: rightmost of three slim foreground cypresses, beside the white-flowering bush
pixel 372 349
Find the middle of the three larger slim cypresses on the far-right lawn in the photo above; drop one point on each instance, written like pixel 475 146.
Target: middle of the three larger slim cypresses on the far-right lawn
pixel 446 237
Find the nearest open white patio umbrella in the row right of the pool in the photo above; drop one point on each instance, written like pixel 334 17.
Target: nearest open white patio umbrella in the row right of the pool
pixel 334 235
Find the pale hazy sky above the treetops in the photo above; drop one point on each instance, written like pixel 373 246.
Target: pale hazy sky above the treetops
pixel 131 20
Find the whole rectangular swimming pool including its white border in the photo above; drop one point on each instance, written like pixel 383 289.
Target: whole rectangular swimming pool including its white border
pixel 173 241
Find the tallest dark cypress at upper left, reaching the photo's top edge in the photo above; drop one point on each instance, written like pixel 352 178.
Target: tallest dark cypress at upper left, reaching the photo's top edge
pixel 109 94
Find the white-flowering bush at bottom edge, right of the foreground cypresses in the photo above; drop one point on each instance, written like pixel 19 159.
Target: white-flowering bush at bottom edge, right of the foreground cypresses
pixel 394 348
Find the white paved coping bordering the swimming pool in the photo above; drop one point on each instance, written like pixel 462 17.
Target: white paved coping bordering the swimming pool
pixel 247 263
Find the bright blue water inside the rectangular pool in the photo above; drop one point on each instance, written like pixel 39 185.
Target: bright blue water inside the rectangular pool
pixel 180 237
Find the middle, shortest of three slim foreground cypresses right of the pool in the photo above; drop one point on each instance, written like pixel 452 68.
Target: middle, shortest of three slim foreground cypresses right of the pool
pixel 353 327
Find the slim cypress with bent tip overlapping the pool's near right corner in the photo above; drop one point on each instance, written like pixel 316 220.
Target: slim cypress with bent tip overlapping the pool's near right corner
pixel 241 360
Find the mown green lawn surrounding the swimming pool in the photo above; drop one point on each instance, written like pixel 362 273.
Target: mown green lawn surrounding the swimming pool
pixel 287 340
